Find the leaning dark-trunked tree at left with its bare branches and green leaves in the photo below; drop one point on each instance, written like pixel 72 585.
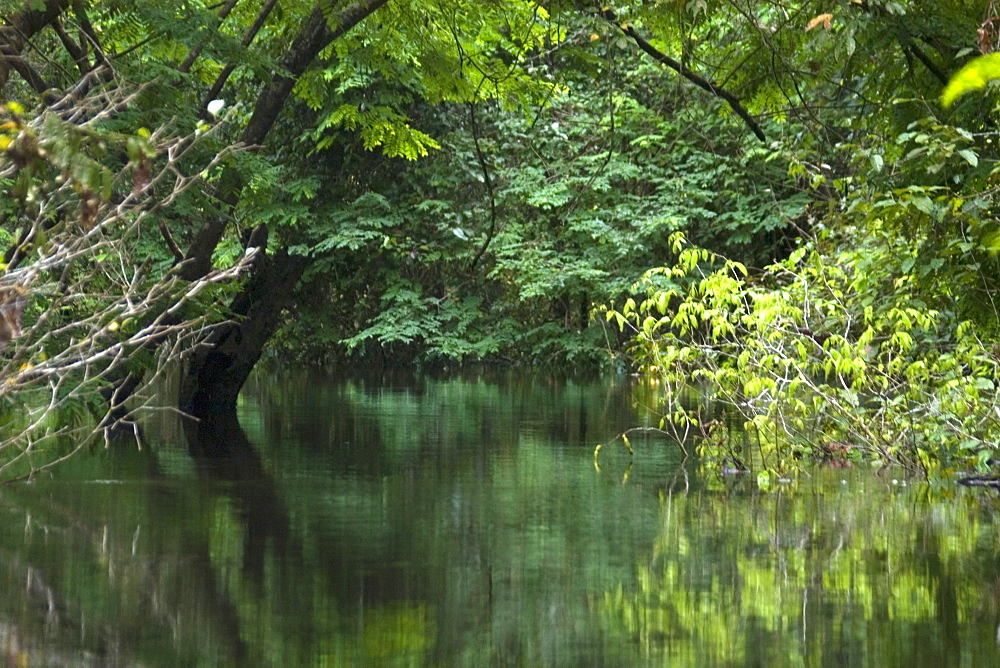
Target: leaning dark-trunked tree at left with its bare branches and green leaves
pixel 89 192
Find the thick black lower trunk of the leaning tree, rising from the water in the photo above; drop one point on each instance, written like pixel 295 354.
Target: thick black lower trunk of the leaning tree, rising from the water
pixel 217 368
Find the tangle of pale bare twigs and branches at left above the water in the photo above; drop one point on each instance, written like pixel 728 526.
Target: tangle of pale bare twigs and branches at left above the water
pixel 99 314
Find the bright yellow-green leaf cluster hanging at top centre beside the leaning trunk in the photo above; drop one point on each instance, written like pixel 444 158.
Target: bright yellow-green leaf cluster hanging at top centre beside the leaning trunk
pixel 425 50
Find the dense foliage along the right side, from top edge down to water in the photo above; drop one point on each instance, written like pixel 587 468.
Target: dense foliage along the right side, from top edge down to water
pixel 874 338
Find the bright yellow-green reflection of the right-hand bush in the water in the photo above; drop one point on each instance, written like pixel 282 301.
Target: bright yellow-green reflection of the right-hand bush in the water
pixel 862 573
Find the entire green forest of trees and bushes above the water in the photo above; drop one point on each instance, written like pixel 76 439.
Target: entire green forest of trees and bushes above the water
pixel 761 205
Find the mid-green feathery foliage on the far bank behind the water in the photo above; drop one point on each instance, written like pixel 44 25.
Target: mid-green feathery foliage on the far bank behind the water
pixel 520 228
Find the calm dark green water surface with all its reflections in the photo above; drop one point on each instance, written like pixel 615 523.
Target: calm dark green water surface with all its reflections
pixel 464 522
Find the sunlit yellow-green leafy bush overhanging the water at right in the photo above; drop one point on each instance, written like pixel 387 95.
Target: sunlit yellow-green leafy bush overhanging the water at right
pixel 813 358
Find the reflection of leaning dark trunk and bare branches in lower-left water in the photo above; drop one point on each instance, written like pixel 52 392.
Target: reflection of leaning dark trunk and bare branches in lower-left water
pixel 140 571
